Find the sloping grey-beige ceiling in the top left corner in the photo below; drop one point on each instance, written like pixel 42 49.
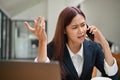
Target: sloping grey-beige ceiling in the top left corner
pixel 13 7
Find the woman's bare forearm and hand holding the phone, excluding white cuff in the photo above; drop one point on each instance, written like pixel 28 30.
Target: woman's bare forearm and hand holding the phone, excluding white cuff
pixel 99 38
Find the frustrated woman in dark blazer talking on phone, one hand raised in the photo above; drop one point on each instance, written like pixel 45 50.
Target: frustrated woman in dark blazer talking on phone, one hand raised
pixel 77 55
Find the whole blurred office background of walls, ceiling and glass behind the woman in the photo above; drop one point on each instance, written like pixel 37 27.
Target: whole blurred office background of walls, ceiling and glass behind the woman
pixel 16 42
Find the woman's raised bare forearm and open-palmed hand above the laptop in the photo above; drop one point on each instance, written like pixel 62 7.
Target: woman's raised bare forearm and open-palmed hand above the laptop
pixel 39 31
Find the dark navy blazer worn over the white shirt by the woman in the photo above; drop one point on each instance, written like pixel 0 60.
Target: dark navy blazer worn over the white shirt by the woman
pixel 93 56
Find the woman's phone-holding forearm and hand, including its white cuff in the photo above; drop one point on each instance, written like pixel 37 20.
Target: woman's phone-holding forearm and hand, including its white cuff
pixel 110 64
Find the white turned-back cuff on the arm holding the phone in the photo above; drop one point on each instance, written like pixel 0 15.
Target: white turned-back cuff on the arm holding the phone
pixel 111 70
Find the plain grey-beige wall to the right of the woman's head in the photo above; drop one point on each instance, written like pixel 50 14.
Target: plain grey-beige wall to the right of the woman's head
pixel 105 14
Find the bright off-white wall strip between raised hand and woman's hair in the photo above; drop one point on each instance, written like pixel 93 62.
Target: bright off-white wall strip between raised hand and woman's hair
pixel 53 12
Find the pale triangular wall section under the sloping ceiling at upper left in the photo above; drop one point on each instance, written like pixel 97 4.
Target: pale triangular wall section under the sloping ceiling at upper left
pixel 32 13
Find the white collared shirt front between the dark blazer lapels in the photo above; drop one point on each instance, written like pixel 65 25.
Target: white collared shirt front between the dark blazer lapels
pixel 77 59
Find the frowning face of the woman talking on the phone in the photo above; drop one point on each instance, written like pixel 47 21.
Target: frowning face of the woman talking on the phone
pixel 76 30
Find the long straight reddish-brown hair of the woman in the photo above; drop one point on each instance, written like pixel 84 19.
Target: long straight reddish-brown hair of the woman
pixel 60 39
